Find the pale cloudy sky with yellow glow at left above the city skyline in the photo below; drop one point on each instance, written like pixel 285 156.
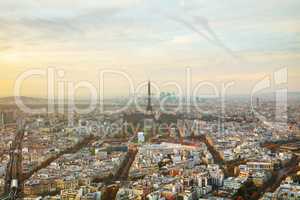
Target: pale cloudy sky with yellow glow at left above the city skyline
pixel 219 41
